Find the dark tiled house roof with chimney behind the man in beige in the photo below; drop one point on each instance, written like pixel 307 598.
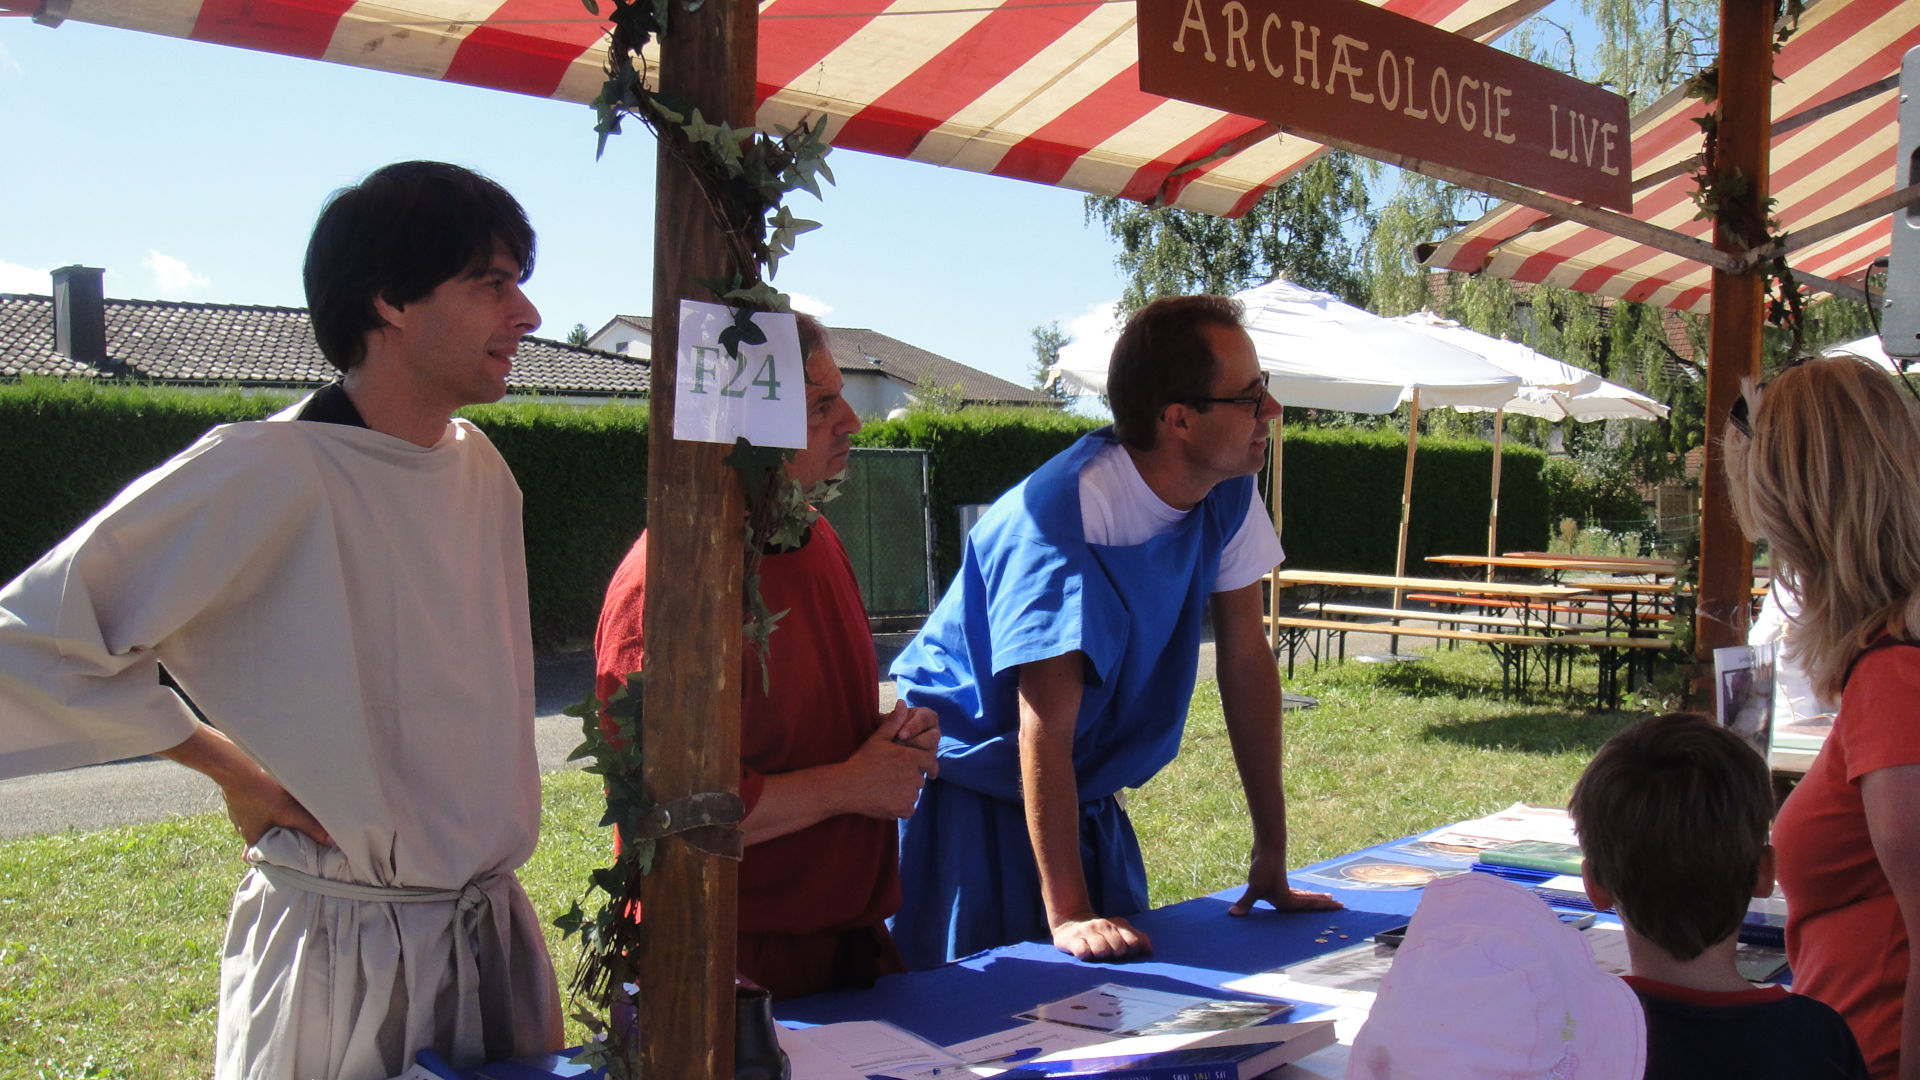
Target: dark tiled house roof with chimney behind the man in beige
pixel 76 331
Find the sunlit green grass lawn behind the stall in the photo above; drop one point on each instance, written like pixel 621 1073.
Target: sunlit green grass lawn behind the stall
pixel 110 941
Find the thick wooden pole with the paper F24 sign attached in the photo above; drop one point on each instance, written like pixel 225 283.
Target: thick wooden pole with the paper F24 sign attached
pixel 694 591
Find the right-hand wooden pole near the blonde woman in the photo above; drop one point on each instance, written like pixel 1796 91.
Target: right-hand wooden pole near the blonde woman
pixel 1735 345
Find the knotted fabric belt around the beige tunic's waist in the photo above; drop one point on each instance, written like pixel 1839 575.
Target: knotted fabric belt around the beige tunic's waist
pixel 481 977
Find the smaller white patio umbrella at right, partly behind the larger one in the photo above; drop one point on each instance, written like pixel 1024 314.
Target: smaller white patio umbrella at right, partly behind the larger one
pixel 1554 391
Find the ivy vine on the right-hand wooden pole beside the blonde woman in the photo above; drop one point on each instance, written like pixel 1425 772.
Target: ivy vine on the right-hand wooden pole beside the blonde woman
pixel 1729 199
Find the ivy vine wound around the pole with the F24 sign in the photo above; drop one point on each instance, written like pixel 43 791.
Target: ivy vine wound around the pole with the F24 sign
pixel 746 178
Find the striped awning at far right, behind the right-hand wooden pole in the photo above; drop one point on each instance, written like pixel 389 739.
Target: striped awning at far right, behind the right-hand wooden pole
pixel 1835 132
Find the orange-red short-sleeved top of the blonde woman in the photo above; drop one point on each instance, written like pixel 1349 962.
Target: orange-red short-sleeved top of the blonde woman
pixel 1846 937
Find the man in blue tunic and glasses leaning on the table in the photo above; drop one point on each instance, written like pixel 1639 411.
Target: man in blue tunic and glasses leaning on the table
pixel 1063 658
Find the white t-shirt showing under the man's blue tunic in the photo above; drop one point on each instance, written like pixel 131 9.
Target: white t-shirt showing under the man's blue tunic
pixel 1118 510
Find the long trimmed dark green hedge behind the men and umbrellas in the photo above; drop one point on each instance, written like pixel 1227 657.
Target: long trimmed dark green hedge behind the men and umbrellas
pixel 72 445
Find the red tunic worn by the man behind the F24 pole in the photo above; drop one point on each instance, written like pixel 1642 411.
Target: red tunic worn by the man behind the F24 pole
pixel 800 893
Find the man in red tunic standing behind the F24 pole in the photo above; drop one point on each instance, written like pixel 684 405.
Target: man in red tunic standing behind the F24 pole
pixel 825 775
